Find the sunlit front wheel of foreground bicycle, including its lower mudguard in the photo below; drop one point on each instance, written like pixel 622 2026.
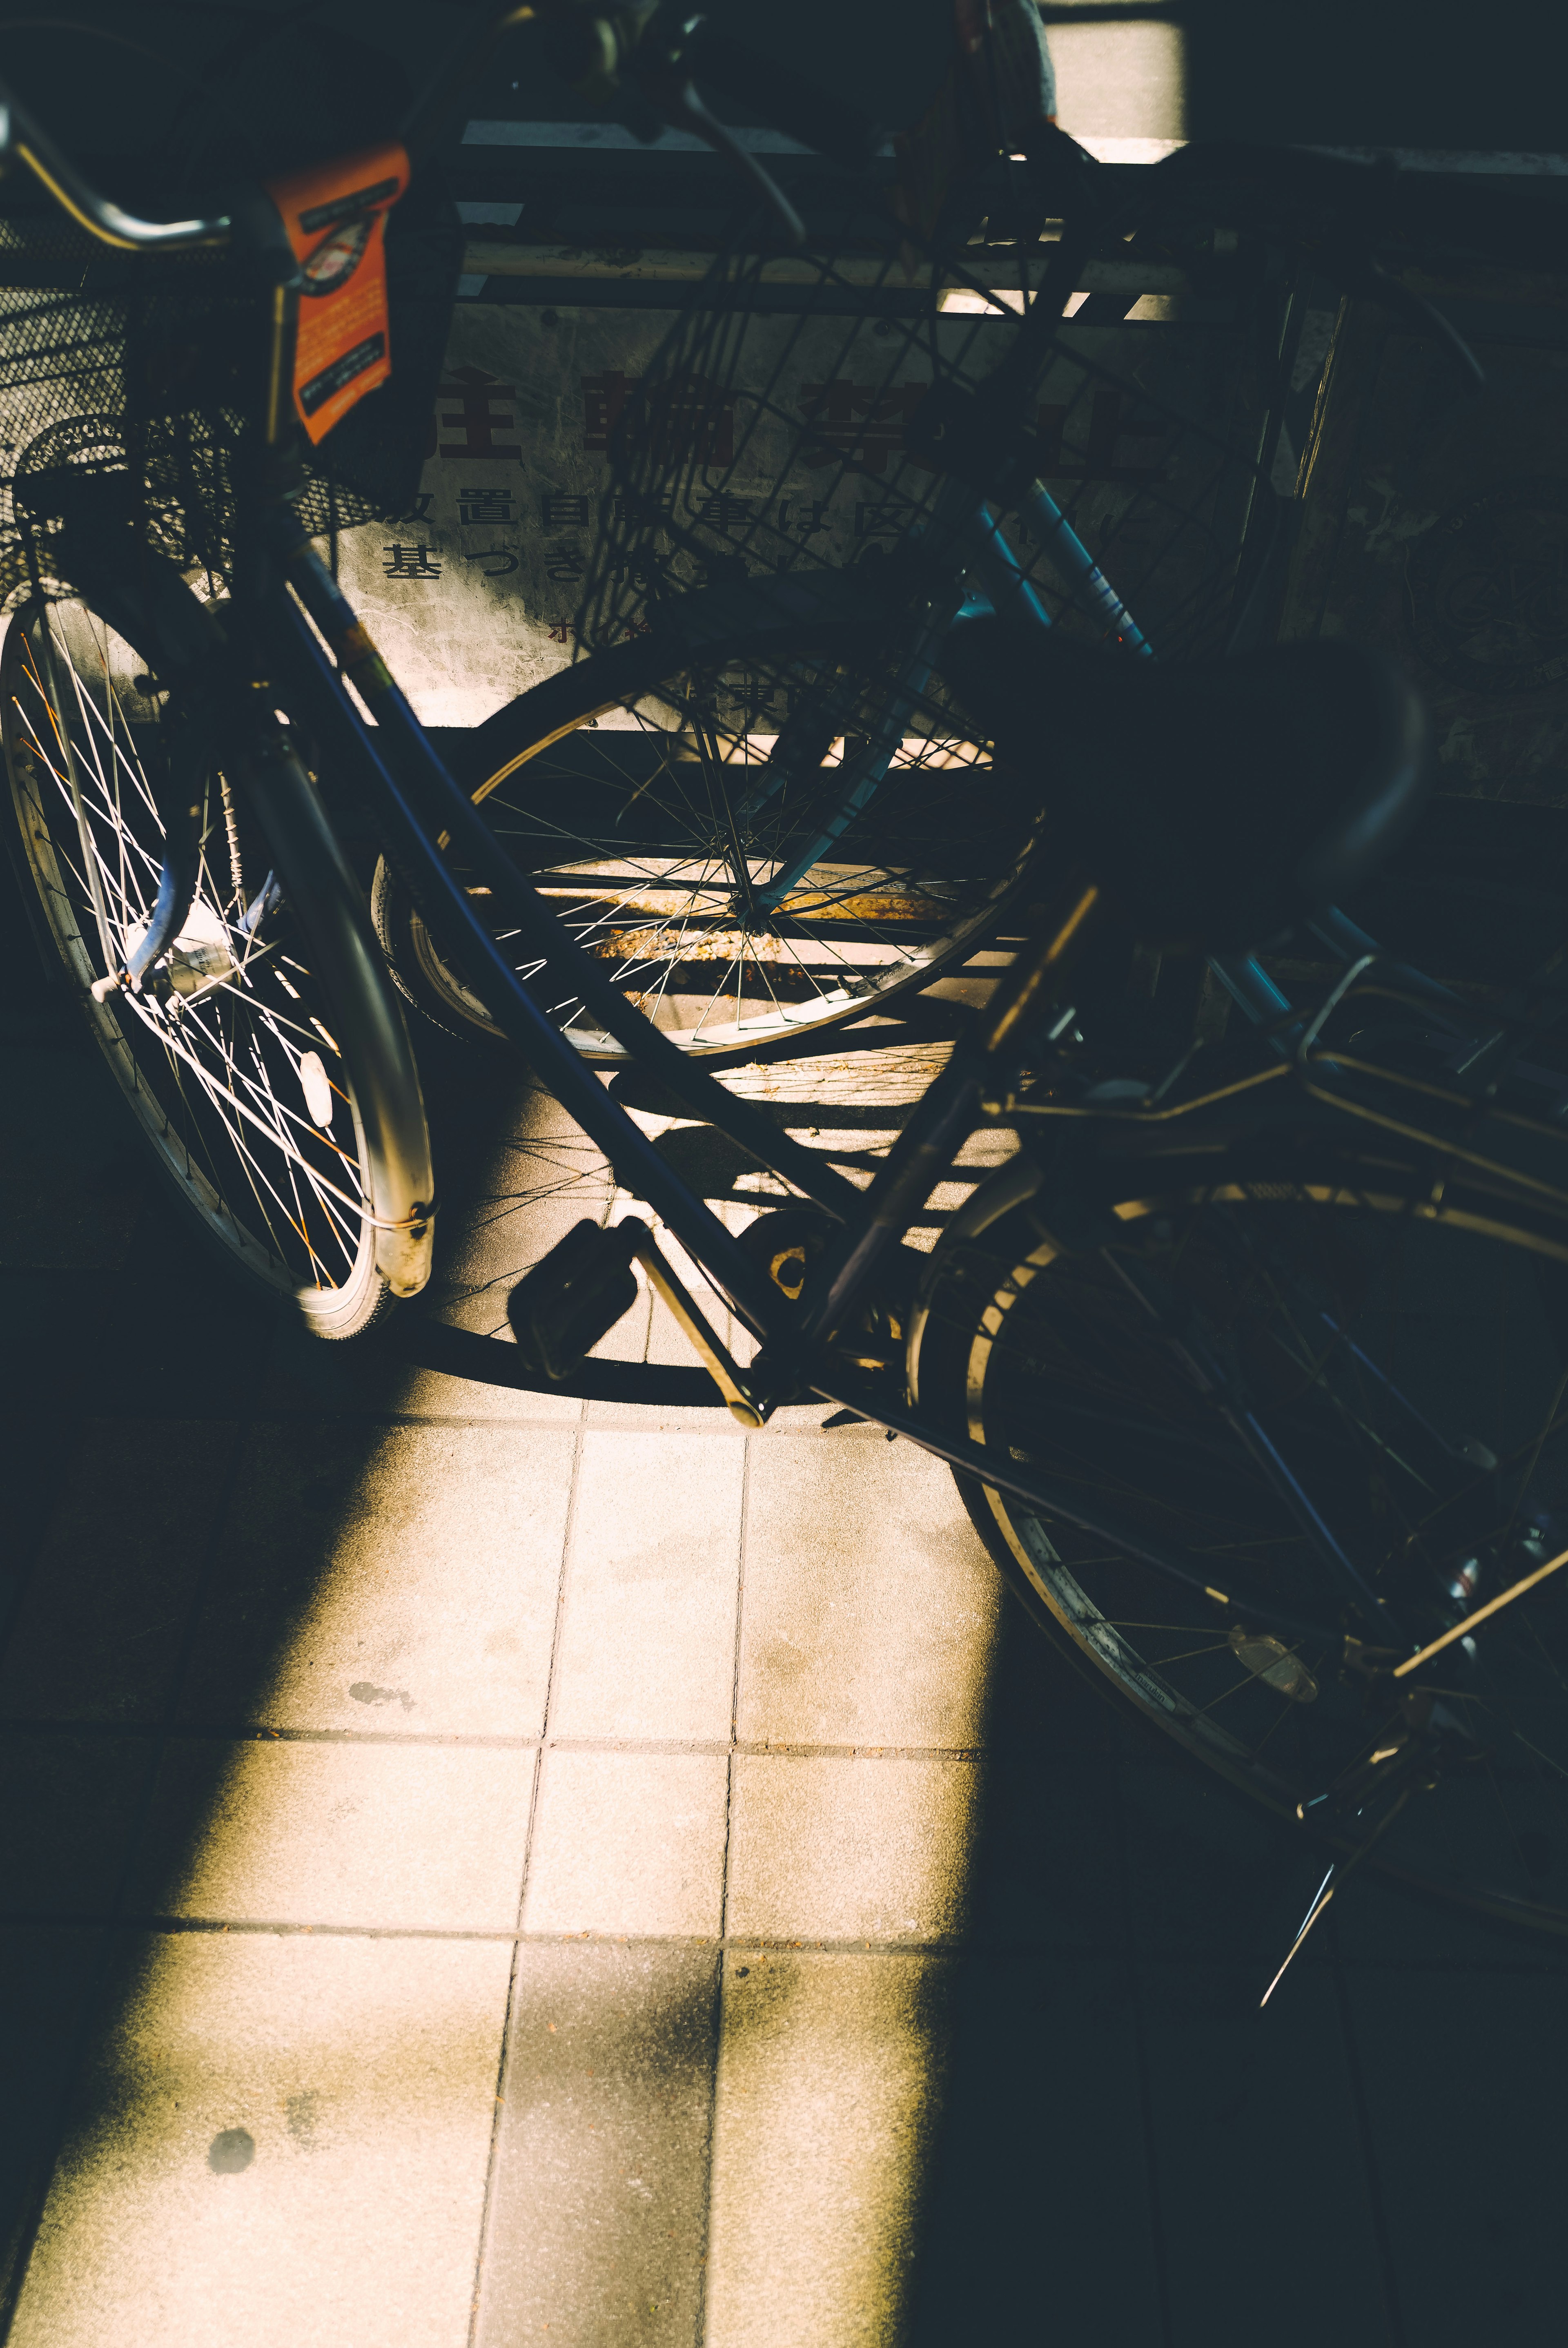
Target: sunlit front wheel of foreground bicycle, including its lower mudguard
pixel 276 1102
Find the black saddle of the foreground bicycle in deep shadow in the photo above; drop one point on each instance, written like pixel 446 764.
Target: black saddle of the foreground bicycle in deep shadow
pixel 1222 804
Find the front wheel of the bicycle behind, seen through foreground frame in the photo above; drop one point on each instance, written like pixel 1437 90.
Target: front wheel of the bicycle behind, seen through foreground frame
pixel 628 790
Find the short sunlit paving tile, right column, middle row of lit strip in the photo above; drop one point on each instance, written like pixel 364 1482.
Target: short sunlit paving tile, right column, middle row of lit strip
pixel 834 1849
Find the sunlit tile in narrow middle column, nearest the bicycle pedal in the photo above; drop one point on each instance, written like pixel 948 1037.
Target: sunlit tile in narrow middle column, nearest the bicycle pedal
pixel 649 1624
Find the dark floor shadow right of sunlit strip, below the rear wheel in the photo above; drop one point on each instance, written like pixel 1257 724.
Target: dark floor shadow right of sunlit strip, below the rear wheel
pixel 1133 2154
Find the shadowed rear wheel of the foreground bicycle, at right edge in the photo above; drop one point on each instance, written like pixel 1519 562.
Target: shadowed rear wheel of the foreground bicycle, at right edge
pixel 1407 1354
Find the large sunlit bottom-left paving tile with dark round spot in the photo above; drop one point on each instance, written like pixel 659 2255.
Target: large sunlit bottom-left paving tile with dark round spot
pixel 285 2140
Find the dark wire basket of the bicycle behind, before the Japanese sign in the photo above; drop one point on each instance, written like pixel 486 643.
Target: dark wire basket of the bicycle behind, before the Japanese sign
pixel 759 443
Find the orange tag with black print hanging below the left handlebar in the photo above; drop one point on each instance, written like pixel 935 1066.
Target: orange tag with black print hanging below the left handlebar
pixel 337 220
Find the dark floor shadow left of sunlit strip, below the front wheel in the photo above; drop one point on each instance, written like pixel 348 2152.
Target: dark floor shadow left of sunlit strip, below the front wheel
pixel 133 1379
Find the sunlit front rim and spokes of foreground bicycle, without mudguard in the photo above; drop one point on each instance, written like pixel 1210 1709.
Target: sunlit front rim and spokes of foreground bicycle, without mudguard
pixel 229 1055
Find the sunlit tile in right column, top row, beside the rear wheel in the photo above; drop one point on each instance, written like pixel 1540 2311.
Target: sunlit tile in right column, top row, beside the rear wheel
pixel 872 1605
